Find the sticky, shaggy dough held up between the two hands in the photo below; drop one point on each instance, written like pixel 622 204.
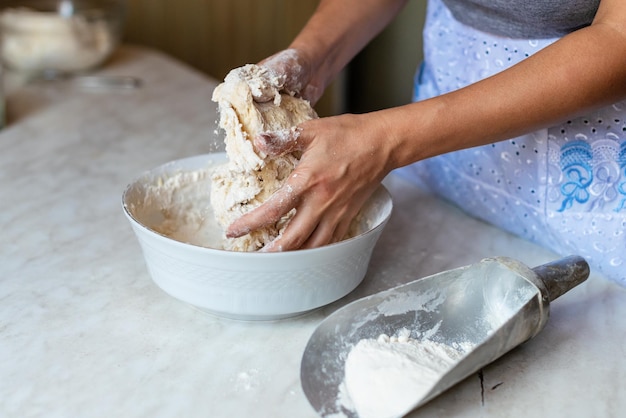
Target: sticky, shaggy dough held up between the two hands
pixel 250 177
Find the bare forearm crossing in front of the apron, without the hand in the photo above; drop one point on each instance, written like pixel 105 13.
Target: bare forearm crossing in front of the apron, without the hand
pixel 582 71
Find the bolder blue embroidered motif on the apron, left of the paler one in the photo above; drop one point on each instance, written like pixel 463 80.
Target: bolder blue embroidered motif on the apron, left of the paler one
pixel 576 157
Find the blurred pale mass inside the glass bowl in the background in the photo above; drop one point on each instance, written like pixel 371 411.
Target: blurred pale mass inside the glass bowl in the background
pixel 35 41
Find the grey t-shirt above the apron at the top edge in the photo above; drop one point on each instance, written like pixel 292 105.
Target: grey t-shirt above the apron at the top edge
pixel 531 19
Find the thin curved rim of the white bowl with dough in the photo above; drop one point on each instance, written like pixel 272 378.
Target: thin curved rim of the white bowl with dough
pixel 164 238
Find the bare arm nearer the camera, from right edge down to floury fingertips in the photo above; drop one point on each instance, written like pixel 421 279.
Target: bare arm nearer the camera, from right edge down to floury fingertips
pixel 345 157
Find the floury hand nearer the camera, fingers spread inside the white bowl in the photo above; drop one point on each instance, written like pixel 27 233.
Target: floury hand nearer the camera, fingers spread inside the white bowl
pixel 344 160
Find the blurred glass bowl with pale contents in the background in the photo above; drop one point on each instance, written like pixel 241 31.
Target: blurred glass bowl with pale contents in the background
pixel 59 36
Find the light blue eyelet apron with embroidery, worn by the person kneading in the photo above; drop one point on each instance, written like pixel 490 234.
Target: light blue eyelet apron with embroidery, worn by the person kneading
pixel 562 187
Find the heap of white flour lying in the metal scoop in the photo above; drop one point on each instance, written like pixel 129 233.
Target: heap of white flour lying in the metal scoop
pixel 387 377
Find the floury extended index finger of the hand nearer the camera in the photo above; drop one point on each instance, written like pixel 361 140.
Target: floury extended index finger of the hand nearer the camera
pixel 270 212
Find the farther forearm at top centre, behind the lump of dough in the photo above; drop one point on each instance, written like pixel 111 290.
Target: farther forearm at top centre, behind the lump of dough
pixel 339 29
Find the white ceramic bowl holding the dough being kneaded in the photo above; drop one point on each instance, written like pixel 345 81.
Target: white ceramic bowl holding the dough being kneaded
pixel 250 285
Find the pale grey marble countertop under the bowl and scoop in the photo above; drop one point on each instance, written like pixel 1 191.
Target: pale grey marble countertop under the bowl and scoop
pixel 84 332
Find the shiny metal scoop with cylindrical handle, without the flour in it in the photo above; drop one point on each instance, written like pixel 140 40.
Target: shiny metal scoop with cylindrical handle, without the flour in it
pixel 491 306
